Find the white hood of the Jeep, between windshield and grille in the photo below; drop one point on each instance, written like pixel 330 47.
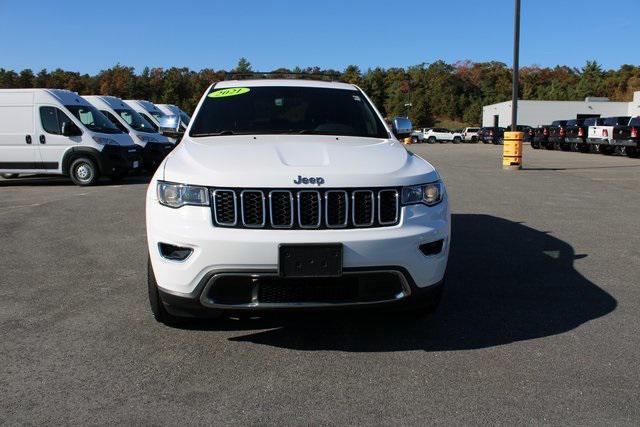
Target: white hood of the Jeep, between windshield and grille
pixel 278 161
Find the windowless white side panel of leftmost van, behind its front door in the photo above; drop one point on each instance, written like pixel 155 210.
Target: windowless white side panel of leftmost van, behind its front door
pixel 18 152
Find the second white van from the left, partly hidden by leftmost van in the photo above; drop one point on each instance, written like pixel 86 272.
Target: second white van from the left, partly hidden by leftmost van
pixel 154 146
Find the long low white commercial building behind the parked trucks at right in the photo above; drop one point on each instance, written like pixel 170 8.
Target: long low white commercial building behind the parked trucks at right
pixel 536 113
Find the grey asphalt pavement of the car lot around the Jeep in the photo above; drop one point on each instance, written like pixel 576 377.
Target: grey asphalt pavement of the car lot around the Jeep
pixel 539 323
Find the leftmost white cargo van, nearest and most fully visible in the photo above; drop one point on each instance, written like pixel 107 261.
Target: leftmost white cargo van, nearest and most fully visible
pixel 54 131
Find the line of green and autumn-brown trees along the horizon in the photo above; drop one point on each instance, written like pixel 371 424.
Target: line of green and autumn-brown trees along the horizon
pixel 426 92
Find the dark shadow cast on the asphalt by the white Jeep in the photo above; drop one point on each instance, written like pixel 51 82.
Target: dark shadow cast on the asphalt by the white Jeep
pixel 507 282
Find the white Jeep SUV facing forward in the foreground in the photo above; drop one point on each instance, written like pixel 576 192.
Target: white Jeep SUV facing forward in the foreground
pixel 293 194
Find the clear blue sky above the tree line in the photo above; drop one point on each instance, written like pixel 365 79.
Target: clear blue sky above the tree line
pixel 88 36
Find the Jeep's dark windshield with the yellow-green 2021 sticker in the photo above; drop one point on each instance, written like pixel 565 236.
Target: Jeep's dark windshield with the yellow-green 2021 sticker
pixel 286 110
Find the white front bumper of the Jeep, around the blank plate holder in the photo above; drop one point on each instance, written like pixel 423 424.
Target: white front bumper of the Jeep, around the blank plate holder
pixel 219 251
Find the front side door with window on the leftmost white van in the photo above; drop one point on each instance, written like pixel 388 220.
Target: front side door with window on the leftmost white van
pixel 51 143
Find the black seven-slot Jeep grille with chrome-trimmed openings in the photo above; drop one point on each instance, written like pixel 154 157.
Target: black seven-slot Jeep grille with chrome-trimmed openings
pixel 305 208
